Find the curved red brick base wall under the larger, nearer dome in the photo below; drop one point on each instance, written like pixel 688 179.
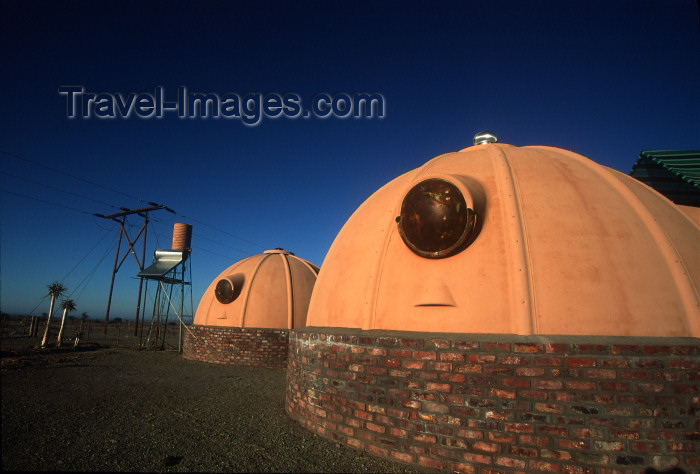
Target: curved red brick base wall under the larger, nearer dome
pixel 491 403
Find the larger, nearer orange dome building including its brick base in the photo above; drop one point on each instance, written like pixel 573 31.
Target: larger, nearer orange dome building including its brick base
pixel 510 309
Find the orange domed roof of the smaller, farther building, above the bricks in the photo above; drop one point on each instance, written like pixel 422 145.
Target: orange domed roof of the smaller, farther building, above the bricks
pixel 271 290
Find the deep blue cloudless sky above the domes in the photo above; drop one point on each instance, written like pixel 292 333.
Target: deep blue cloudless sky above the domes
pixel 605 79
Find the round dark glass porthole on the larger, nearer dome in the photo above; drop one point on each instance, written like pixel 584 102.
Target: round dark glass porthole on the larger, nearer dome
pixel 435 220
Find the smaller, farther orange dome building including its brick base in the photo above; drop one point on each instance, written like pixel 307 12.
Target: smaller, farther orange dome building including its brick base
pixel 245 315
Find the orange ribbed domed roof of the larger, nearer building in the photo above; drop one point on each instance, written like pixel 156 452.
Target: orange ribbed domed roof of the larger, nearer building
pixel 520 240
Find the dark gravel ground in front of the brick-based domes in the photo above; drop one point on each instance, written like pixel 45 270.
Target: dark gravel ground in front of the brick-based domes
pixel 103 408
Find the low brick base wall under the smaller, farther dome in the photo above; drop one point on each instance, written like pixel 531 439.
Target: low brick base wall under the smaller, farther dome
pixel 238 346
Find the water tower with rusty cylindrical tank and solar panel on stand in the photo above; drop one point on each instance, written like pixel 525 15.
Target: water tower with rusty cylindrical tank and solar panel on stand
pixel 171 270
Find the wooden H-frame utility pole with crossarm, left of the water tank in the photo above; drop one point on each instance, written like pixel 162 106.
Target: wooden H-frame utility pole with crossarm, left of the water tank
pixel 120 217
